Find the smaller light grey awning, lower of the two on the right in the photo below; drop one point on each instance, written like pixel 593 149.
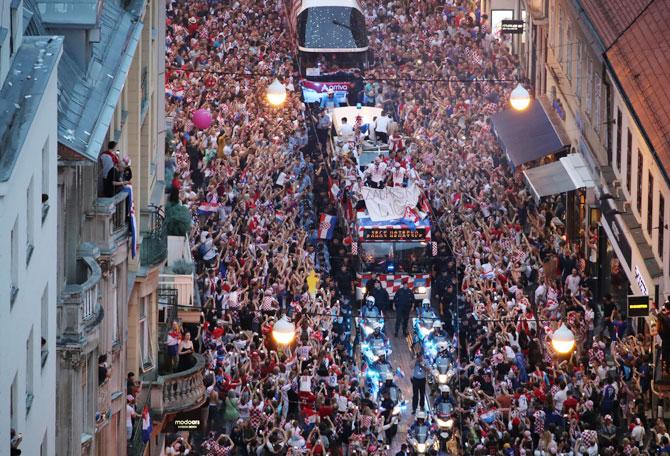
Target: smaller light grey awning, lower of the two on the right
pixel 569 173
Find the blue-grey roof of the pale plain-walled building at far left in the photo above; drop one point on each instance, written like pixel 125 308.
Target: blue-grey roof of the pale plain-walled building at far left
pixel 21 95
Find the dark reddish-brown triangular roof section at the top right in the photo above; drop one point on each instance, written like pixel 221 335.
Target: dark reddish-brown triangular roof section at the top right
pixel 611 17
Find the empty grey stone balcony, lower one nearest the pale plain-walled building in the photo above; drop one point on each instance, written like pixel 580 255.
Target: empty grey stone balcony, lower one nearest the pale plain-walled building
pixel 80 311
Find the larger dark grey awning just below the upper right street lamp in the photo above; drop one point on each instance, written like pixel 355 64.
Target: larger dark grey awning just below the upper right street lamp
pixel 526 135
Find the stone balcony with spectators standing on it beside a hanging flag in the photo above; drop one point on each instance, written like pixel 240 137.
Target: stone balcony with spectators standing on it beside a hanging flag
pixel 107 225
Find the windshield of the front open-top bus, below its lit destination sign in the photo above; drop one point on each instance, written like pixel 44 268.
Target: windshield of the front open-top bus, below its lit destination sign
pixel 392 257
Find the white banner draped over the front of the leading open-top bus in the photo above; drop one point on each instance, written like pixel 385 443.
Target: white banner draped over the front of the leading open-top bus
pixel 389 203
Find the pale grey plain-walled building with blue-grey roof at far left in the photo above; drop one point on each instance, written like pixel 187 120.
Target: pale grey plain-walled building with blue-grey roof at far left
pixel 29 208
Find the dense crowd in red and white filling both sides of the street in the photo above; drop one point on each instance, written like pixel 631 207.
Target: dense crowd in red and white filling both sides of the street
pixel 256 182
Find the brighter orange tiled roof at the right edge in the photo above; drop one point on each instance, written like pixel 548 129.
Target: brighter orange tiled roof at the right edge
pixel 640 59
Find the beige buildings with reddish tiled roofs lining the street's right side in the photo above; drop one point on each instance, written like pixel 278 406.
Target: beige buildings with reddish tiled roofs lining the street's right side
pixel 598 56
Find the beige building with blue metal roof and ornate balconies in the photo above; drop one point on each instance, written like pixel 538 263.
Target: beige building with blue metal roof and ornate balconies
pixel 110 89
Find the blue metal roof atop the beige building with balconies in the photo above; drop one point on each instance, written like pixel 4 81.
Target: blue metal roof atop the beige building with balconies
pixel 88 97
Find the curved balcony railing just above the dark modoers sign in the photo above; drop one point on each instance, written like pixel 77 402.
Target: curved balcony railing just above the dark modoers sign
pixel 181 391
